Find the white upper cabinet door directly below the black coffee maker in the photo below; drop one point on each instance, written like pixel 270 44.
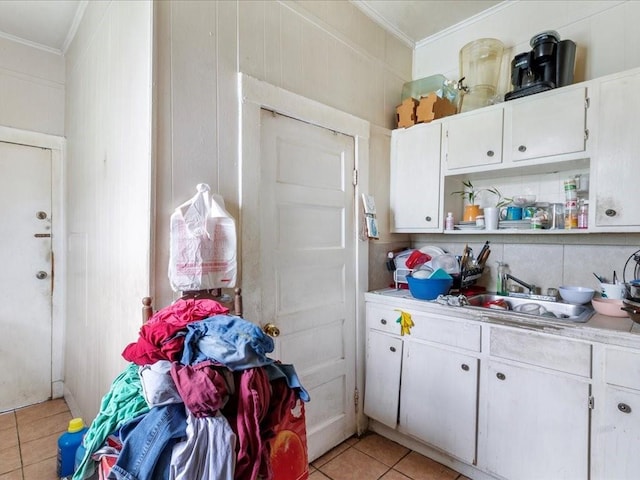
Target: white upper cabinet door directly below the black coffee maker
pixel 551 125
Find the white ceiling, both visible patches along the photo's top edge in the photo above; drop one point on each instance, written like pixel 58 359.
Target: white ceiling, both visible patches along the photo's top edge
pixel 51 24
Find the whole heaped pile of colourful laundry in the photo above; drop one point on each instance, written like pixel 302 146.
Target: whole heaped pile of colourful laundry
pixel 200 399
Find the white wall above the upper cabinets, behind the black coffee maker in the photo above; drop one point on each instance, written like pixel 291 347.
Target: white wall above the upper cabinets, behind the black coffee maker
pixel 606 34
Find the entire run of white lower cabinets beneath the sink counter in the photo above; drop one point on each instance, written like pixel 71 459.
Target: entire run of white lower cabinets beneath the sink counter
pixel 502 402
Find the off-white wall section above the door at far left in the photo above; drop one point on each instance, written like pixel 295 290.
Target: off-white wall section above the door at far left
pixel 31 88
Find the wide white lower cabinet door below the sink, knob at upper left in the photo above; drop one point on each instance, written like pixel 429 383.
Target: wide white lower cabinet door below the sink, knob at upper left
pixel 537 424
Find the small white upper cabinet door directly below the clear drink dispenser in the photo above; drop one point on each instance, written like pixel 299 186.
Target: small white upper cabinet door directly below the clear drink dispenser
pixel 474 139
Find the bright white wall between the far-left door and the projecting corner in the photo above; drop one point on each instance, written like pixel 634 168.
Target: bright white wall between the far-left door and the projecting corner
pixel 108 174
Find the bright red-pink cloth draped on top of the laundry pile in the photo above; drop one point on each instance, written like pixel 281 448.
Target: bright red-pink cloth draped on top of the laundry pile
pixel 157 340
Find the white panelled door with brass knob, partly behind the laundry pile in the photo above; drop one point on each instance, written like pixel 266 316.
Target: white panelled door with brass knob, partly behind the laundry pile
pixel 308 266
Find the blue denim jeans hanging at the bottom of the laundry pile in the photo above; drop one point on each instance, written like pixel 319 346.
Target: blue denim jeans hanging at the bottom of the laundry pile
pixel 148 441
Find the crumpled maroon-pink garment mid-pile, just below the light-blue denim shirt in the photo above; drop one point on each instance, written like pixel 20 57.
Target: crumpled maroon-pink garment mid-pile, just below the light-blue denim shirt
pixel 203 386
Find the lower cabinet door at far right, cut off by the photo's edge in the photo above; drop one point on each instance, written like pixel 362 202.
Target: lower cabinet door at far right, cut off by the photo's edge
pixel 619 435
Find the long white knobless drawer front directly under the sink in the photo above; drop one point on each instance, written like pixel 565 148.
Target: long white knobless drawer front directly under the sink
pixel 544 351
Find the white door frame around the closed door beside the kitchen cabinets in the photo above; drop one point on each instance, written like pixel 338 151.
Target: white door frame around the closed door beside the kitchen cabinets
pixel 256 95
